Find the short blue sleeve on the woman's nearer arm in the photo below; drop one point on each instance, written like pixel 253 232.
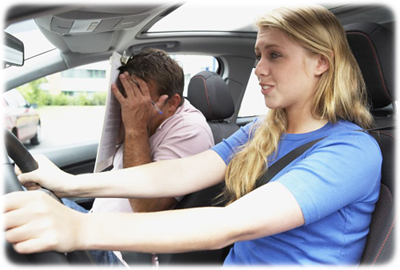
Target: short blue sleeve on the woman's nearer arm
pixel 337 171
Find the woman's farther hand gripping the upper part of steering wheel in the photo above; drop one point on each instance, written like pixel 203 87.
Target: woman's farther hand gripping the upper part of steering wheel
pixel 48 176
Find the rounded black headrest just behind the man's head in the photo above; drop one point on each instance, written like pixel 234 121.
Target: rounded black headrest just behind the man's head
pixel 208 92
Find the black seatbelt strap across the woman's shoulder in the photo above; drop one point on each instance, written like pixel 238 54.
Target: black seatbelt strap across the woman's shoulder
pixel 284 161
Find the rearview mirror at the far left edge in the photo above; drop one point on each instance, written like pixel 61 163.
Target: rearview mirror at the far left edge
pixel 13 50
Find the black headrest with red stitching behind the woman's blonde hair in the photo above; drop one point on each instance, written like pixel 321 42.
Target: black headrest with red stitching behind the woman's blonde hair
pixel 373 47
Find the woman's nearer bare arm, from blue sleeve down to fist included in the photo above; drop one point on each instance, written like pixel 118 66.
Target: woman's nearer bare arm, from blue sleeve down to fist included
pixel 53 226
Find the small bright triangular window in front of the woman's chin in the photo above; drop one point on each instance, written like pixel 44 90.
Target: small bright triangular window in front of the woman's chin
pixel 253 101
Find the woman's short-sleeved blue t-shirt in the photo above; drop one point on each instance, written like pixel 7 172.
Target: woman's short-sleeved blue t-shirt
pixel 336 184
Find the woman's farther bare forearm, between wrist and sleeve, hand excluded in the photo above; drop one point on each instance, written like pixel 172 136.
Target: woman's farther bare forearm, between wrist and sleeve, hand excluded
pixel 170 178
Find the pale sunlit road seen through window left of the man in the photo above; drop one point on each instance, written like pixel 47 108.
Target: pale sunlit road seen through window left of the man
pixel 62 125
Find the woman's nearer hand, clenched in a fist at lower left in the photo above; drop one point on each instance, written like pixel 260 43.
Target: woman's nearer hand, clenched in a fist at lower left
pixel 35 222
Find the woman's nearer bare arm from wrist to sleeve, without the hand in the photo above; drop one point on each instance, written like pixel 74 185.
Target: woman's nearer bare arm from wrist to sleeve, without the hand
pixel 193 229
